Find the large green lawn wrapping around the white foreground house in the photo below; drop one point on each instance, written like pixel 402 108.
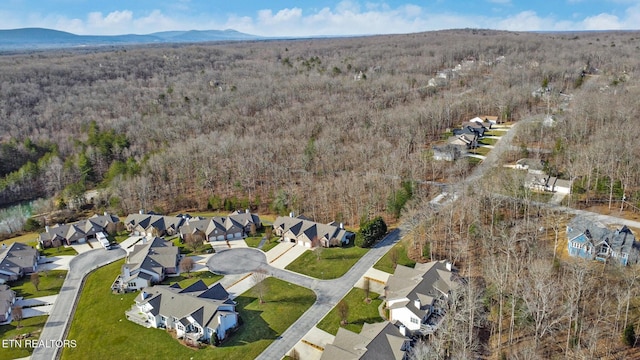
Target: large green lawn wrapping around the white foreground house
pixel 102 331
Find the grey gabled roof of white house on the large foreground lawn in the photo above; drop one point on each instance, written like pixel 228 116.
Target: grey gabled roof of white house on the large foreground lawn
pixel 188 305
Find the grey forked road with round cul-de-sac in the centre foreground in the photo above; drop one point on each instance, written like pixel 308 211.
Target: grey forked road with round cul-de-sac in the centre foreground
pixel 328 292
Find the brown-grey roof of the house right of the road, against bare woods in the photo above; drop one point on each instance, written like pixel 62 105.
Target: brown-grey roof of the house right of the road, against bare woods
pixel 426 282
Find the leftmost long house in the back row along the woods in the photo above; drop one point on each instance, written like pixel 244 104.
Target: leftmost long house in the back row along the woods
pixel 77 232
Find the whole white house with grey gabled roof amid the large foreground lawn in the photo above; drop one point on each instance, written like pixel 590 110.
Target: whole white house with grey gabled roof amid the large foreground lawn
pixel 196 313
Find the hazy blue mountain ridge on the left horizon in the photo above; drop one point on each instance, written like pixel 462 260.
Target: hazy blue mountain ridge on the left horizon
pixel 38 38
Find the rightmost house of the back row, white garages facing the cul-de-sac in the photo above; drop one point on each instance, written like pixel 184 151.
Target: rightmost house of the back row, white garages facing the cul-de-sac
pixel 307 233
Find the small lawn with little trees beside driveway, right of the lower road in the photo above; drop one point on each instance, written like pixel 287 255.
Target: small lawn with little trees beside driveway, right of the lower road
pixel 359 313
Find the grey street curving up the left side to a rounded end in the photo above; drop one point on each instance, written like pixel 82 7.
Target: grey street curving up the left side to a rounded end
pixel 57 324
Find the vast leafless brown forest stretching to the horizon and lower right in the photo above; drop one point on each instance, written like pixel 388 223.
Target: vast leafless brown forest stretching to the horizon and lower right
pixel 343 129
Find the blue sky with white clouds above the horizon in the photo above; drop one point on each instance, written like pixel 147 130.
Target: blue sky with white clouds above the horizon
pixel 317 18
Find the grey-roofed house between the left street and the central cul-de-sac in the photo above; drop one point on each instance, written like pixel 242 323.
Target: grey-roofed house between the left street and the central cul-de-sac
pixel 147 264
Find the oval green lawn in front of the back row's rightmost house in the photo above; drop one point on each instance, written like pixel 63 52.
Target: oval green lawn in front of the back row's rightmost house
pixel 333 263
